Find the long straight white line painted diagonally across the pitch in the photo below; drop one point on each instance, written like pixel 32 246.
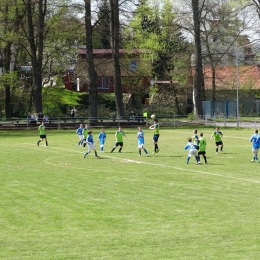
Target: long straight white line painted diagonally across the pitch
pixel 157 164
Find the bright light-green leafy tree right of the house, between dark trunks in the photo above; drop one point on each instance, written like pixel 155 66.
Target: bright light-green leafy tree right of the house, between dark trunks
pixel 156 30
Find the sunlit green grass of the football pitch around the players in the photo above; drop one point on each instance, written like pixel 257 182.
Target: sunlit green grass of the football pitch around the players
pixel 56 205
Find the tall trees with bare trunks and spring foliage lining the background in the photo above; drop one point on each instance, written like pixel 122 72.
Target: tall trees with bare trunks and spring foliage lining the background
pixel 37 39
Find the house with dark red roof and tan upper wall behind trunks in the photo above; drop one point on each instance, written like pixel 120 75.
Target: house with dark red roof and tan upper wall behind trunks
pixel 133 71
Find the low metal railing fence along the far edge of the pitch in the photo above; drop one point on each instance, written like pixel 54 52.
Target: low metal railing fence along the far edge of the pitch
pixel 129 122
